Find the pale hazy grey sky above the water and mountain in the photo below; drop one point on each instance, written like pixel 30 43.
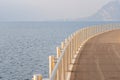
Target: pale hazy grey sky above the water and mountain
pixel 42 10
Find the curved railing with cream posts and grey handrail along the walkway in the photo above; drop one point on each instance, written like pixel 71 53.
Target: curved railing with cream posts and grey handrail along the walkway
pixel 70 48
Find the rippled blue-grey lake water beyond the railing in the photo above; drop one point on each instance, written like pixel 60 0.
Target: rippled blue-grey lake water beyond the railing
pixel 25 46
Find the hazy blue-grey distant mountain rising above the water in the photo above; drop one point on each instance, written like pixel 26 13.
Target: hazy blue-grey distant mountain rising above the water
pixel 109 12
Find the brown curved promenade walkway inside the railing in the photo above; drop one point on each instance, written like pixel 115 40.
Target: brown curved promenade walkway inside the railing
pixel 99 58
